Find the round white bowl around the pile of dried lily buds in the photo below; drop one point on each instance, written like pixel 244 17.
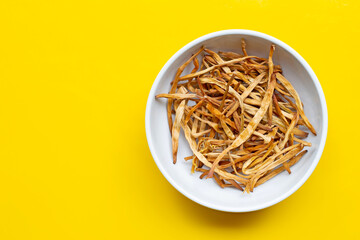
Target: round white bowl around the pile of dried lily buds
pixel 207 192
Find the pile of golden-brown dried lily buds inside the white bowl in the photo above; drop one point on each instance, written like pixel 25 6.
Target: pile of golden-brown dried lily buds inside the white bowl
pixel 240 116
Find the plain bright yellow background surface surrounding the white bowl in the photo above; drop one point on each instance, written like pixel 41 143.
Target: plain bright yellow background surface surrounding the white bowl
pixel 74 80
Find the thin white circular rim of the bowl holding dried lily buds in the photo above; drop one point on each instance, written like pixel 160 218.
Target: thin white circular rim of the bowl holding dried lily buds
pixel 324 123
